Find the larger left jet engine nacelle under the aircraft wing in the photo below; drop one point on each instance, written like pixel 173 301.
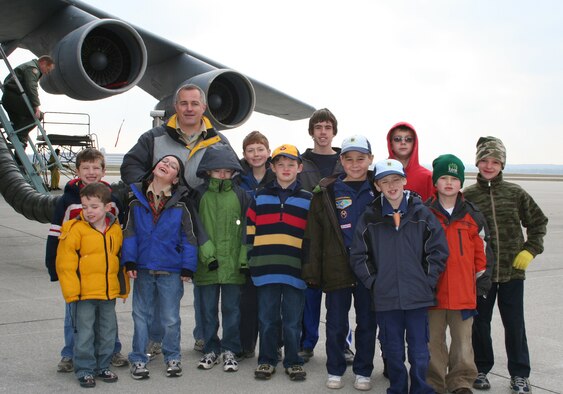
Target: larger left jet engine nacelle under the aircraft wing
pixel 100 59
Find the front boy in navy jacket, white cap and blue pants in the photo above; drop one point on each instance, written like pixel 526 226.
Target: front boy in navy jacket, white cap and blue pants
pixel 398 252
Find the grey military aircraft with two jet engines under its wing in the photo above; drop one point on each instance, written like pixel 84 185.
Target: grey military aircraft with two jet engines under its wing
pixel 98 55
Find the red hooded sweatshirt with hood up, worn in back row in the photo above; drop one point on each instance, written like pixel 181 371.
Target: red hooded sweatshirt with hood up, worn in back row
pixel 419 179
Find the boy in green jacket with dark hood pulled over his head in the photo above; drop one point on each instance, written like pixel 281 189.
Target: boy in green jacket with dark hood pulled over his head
pixel 222 262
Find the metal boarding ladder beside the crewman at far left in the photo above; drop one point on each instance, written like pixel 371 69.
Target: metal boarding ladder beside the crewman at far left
pixel 31 172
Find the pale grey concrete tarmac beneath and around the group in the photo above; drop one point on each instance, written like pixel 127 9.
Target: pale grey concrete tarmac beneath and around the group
pixel 32 312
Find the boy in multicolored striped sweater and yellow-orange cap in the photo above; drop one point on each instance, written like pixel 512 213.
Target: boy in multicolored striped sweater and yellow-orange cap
pixel 276 222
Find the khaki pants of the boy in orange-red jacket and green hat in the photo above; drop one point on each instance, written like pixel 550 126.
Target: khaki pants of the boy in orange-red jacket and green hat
pixel 456 369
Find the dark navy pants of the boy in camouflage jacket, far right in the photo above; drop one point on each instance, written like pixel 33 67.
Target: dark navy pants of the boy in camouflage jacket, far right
pixel 511 307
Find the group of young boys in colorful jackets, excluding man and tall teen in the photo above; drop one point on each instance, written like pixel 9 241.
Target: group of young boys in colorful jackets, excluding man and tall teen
pixel 404 243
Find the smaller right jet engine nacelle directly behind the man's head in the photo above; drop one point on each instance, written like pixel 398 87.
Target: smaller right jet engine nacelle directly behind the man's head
pixel 230 98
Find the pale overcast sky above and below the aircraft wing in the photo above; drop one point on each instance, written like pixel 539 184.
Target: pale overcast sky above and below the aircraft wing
pixel 456 70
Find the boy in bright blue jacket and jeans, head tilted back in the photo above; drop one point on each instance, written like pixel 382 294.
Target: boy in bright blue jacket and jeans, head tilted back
pixel 159 253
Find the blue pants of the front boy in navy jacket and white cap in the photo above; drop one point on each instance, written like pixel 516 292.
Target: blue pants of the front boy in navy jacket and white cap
pixel 393 325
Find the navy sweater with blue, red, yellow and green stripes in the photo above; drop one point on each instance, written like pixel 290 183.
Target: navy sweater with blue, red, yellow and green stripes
pixel 276 221
